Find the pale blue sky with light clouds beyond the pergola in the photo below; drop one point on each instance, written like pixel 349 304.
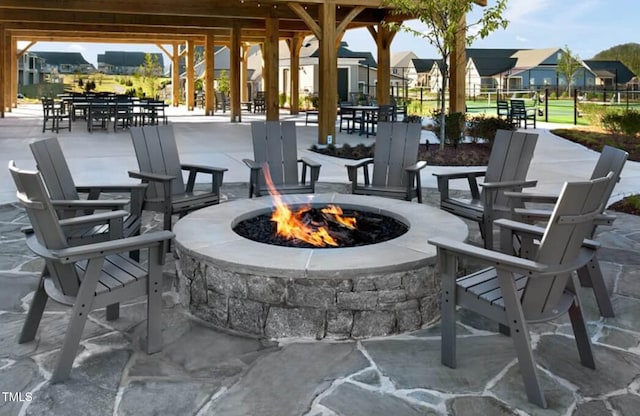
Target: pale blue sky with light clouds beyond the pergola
pixel 585 26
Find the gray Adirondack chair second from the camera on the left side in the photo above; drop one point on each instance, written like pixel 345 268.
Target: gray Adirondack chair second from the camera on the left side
pixel 66 198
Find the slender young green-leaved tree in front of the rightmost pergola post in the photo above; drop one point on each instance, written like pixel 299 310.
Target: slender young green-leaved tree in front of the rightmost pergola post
pixel 445 20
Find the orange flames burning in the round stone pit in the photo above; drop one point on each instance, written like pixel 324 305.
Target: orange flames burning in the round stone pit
pixel 291 225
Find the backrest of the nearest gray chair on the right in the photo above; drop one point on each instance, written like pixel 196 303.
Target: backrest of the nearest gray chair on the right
pixel 563 240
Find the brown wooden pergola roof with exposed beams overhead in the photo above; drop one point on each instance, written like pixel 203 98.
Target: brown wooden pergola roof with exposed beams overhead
pixel 166 20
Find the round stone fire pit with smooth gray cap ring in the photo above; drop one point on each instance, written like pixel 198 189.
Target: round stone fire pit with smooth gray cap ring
pixel 274 291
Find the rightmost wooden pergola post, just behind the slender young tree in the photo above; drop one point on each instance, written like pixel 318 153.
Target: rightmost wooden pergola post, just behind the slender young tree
pixel 457 72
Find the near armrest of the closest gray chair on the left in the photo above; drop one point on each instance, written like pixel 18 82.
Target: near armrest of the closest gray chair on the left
pixel 102 249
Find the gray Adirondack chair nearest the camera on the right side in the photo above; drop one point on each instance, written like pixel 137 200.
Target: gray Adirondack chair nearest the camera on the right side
pixel 514 291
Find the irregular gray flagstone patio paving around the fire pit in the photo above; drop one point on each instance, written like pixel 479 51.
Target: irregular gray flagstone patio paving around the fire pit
pixel 204 371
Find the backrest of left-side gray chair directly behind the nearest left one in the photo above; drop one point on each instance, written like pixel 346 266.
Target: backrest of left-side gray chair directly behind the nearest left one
pixel 52 164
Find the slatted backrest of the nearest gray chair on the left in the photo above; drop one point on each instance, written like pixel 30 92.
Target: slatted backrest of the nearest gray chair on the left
pixel 33 196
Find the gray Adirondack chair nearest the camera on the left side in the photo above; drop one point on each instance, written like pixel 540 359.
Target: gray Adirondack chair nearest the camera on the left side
pixel 87 277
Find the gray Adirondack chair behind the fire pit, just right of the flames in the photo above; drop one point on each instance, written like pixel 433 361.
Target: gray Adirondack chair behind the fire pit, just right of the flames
pixel 396 169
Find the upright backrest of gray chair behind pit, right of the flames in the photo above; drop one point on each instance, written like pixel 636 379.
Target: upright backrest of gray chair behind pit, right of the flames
pixel 397 147
